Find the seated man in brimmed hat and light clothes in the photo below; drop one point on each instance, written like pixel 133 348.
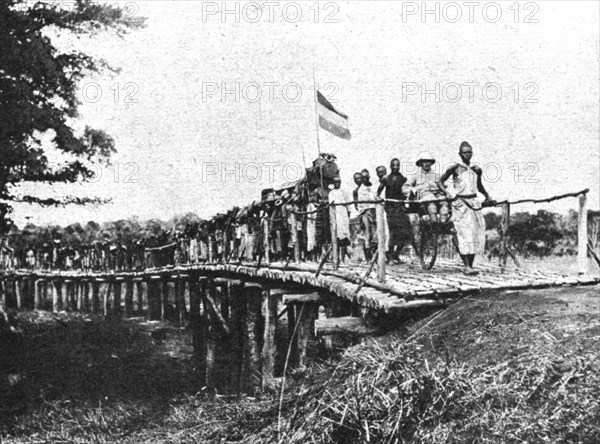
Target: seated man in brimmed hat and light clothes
pixel 424 184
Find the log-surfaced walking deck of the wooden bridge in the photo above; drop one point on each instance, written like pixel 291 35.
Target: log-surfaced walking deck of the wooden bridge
pixel 406 285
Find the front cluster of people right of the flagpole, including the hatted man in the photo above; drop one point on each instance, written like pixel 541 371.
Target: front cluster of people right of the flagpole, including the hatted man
pixel 426 189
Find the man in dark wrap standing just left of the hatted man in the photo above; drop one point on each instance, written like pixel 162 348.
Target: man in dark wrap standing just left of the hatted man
pixel 398 221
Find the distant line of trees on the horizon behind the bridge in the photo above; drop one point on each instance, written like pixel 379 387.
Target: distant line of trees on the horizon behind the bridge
pixel 541 234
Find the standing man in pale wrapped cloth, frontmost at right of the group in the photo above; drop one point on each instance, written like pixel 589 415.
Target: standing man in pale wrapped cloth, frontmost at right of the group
pixel 466 209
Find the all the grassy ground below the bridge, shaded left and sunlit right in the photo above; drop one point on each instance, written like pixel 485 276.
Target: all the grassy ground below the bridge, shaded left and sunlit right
pixel 497 367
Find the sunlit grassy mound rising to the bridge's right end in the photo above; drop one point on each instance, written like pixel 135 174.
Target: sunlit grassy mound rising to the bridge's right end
pixel 519 366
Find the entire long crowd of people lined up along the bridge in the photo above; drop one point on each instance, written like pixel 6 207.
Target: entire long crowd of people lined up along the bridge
pixel 296 220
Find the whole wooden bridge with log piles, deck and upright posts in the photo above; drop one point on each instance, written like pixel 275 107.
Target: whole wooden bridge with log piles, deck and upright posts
pixel 266 316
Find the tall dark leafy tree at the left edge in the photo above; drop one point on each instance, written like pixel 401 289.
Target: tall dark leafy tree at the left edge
pixel 38 84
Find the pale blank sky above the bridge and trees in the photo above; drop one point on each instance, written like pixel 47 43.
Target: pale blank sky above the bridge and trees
pixel 214 101
